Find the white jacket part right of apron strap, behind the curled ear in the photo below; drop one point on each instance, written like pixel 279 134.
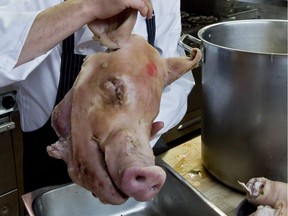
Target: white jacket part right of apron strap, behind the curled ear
pixel 173 104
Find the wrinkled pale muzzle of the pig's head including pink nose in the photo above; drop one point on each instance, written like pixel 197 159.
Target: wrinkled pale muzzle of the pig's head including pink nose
pixel 132 170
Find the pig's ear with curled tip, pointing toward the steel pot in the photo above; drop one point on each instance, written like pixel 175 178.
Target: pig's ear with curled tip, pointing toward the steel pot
pixel 180 65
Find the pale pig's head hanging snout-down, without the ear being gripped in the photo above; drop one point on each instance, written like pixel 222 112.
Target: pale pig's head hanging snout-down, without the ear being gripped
pixel 106 120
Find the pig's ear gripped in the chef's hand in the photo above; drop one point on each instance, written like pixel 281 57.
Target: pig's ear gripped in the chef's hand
pixel 114 31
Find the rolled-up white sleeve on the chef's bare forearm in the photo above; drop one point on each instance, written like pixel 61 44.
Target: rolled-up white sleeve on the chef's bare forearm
pixel 14 27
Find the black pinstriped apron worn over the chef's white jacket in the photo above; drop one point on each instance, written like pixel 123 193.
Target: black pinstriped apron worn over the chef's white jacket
pixel 39 169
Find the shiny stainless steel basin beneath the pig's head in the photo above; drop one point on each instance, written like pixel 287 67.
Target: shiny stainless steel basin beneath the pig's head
pixel 177 197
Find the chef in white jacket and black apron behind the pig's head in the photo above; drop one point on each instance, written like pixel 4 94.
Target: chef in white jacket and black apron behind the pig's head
pixel 43 68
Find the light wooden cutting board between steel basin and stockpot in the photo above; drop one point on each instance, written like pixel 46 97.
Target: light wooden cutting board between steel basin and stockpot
pixel 186 160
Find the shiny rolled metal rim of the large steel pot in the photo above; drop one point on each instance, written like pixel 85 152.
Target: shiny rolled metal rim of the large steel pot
pixel 249 21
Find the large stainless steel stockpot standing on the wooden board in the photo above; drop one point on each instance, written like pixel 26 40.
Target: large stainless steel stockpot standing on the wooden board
pixel 244 111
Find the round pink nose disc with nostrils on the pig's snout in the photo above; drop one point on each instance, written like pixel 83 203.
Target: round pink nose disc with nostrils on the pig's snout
pixel 143 183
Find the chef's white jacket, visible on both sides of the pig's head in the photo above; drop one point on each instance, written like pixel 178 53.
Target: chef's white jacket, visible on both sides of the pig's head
pixel 37 80
